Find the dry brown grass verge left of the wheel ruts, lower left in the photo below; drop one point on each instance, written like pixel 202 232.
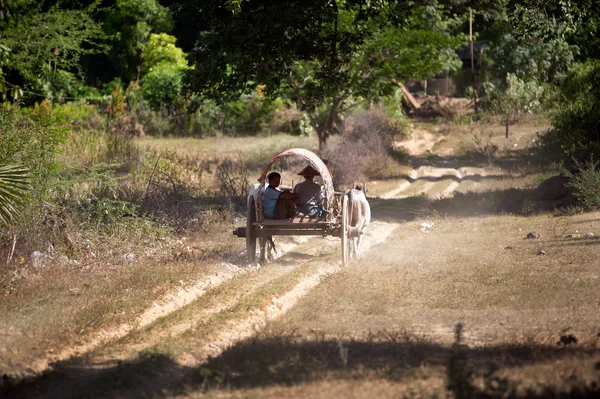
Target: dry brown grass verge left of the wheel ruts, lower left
pixel 51 307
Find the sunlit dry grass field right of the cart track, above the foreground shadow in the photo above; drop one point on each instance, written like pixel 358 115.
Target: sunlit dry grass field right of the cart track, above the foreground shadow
pixel 467 278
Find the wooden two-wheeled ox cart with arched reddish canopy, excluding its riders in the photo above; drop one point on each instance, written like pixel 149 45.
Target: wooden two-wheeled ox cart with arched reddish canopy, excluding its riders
pixel 336 222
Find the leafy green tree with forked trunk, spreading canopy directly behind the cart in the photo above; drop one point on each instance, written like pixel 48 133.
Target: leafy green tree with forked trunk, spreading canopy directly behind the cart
pixel 327 53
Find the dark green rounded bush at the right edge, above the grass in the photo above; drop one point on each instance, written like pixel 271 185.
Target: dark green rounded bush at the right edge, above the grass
pixel 577 115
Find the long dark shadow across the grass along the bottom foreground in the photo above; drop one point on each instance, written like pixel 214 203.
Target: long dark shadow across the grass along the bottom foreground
pixel 288 359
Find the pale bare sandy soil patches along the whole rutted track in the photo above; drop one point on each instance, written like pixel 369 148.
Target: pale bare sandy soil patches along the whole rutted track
pixel 427 181
